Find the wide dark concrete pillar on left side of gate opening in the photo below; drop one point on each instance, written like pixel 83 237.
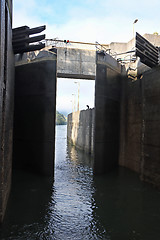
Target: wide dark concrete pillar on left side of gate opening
pixel 34 118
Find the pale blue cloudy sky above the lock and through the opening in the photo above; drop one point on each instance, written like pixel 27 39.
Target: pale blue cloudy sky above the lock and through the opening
pixel 104 21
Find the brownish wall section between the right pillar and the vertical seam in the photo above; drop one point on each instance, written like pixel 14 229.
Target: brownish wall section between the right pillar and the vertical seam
pixel 131 125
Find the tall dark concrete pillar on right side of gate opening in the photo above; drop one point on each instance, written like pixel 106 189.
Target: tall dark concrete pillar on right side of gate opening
pixel 107 114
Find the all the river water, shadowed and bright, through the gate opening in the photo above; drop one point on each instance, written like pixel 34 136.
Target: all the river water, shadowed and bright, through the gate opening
pixel 79 206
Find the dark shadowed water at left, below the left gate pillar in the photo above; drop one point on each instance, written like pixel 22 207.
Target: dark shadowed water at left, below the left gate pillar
pixel 27 206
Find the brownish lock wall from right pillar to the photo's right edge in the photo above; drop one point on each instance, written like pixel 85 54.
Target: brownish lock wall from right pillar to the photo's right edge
pixel 140 123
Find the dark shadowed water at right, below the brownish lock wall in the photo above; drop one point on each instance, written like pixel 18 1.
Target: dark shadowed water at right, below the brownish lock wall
pixel 127 208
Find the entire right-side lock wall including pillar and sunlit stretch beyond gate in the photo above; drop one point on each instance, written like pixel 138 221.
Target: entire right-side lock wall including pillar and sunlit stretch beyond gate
pixel 125 124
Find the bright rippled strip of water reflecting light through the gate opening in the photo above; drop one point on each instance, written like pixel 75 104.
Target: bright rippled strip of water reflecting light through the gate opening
pixel 71 210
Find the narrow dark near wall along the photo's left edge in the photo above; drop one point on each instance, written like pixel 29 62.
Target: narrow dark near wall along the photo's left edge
pixel 6 102
